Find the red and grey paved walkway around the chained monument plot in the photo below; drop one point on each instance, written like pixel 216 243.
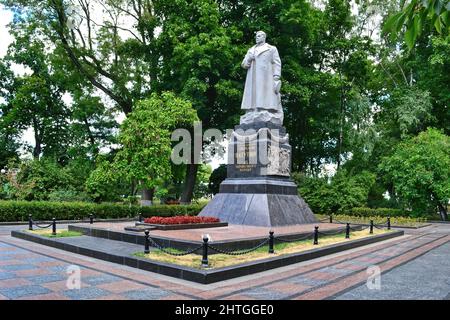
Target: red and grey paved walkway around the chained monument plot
pixel 415 266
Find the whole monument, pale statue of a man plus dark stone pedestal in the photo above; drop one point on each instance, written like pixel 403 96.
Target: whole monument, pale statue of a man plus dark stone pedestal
pixel 258 190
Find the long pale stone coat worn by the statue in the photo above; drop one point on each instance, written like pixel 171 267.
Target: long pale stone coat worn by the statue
pixel 260 85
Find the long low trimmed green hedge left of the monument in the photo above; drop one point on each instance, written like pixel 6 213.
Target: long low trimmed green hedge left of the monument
pixel 11 211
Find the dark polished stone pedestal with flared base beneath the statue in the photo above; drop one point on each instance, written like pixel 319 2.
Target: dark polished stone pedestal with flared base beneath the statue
pixel 258 190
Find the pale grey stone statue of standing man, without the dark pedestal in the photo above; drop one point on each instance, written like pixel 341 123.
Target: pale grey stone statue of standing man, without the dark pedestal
pixel 261 99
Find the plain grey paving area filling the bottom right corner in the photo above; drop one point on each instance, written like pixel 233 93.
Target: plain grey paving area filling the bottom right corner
pixel 426 277
